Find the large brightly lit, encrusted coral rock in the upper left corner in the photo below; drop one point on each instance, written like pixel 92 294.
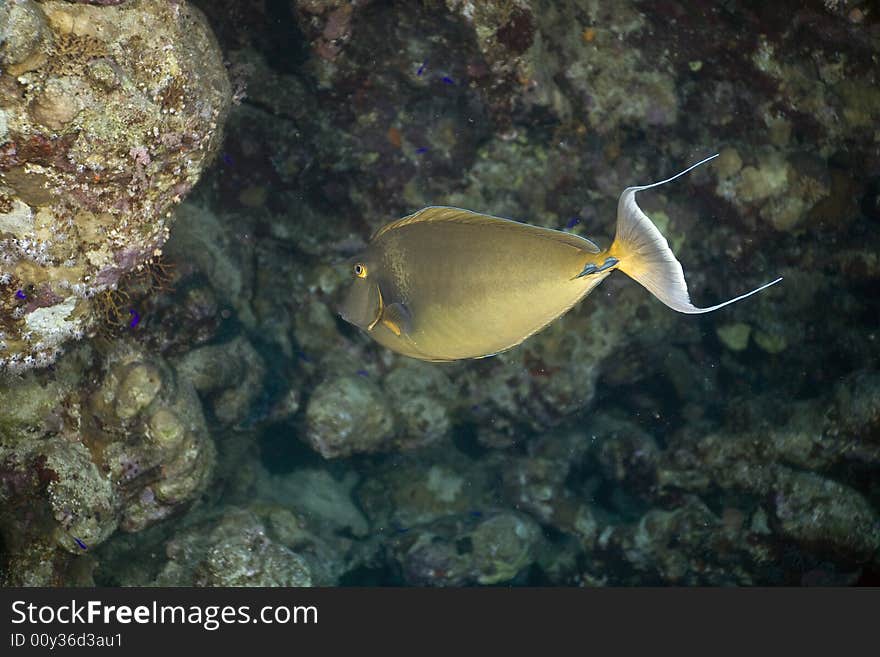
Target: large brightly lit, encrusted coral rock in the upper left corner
pixel 109 114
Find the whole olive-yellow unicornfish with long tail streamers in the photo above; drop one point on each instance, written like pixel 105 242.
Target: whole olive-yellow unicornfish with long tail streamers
pixel 446 284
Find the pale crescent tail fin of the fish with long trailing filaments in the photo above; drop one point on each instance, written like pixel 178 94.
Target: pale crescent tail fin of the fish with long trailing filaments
pixel 645 255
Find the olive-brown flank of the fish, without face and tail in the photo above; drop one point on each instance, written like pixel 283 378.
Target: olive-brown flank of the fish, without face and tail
pixel 475 285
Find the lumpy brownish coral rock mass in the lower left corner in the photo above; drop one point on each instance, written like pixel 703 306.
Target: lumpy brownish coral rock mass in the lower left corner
pixel 78 462
